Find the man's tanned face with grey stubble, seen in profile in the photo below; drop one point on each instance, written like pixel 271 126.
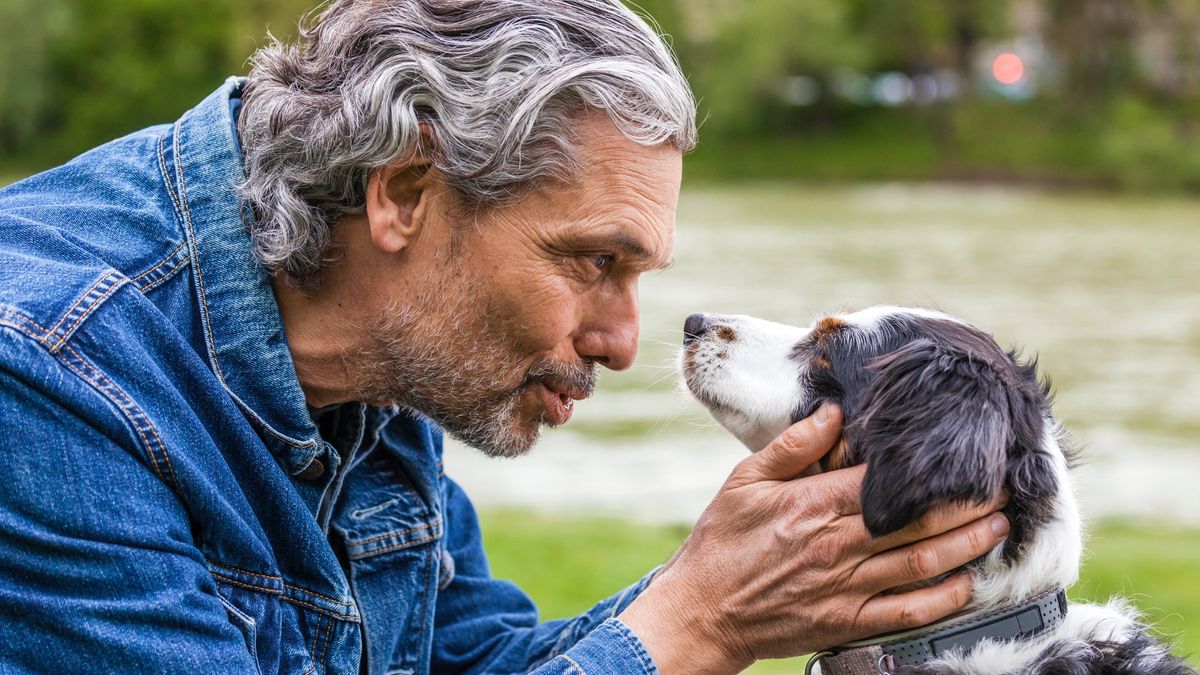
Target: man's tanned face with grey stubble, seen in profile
pixel 515 308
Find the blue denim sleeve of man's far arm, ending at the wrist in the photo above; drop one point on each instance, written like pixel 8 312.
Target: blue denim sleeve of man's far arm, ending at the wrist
pixel 485 625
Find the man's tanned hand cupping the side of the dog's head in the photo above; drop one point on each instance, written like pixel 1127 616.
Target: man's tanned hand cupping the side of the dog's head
pixel 781 566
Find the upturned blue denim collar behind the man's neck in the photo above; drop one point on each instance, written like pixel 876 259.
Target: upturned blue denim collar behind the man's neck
pixel 247 347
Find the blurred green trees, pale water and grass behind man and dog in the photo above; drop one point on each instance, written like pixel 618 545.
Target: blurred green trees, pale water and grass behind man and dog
pixel 1033 166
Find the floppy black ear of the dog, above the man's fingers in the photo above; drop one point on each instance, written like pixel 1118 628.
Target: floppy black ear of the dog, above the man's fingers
pixel 934 426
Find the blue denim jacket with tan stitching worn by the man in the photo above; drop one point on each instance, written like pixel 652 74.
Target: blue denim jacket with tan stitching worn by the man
pixel 169 501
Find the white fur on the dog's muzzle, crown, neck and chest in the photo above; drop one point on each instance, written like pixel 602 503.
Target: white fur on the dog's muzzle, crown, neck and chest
pixel 753 386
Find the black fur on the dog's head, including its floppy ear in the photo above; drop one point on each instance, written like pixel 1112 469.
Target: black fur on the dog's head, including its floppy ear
pixel 939 413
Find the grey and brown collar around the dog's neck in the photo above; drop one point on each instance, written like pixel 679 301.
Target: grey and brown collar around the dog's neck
pixel 881 656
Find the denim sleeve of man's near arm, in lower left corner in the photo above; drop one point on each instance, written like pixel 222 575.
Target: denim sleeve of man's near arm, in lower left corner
pixel 98 568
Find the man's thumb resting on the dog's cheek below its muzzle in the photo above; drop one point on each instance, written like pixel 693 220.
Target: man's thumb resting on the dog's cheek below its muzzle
pixel 794 451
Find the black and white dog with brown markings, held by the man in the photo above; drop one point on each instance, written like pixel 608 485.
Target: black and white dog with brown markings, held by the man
pixel 939 413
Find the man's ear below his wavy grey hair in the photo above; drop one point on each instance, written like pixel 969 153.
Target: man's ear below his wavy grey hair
pixel 398 202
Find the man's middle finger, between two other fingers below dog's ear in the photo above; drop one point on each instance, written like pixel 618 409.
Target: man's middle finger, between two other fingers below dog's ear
pixel 931 558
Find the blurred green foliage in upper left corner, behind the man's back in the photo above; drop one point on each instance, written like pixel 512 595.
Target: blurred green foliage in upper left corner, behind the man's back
pixel 75 74
